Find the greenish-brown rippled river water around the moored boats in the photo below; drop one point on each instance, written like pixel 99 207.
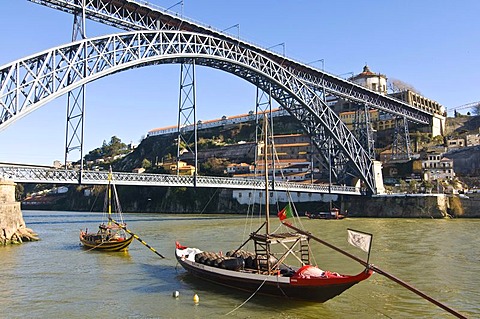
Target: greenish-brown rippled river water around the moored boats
pixel 56 278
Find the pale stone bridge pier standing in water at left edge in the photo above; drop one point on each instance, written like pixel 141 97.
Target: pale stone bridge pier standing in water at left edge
pixel 12 226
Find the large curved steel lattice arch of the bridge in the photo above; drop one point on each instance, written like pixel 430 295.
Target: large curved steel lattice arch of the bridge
pixel 27 84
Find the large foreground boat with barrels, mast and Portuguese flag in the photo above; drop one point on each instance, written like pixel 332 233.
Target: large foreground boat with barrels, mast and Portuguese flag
pixel 276 263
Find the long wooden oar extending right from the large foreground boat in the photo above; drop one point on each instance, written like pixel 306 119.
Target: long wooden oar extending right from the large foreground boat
pixel 381 272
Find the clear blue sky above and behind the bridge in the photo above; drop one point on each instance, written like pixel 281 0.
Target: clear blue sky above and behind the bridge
pixel 432 45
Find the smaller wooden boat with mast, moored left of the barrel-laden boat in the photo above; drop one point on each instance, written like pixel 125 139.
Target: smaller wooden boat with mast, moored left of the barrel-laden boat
pixel 111 236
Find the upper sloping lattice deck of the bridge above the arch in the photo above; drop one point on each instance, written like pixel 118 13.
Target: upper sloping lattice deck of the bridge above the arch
pixel 131 15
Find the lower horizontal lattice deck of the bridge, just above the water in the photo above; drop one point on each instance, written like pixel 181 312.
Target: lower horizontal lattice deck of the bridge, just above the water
pixel 39 175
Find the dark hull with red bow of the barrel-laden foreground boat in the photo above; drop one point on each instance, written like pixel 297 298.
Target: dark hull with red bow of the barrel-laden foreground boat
pixel 311 289
